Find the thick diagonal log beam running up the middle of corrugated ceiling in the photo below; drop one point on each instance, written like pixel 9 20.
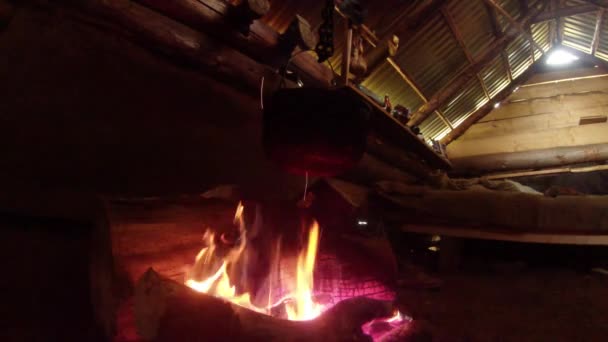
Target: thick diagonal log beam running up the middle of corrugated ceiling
pixel 456 85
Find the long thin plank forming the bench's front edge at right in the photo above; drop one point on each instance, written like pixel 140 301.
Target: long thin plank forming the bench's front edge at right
pixel 503 235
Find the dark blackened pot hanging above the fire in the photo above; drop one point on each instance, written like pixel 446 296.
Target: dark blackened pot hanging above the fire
pixel 319 131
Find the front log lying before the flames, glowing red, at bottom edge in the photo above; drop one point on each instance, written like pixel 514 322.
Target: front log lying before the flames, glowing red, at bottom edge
pixel 169 311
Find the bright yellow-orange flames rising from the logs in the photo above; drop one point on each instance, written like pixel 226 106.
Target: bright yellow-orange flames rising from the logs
pixel 299 303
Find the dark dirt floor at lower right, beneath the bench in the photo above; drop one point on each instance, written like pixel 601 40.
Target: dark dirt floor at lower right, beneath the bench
pixel 516 292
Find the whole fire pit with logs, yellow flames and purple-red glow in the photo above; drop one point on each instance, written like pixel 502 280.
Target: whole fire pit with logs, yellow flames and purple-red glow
pixel 196 271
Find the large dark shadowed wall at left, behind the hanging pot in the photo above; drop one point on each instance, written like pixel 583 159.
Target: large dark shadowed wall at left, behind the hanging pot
pixel 85 109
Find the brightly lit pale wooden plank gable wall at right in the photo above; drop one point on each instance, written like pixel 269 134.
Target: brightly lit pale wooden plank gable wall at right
pixel 541 116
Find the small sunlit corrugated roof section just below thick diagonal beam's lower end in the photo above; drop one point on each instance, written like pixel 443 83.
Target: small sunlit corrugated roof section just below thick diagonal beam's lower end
pixel 464 104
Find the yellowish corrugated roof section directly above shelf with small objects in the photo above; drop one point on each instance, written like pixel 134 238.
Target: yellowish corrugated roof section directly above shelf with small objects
pixel 385 81
